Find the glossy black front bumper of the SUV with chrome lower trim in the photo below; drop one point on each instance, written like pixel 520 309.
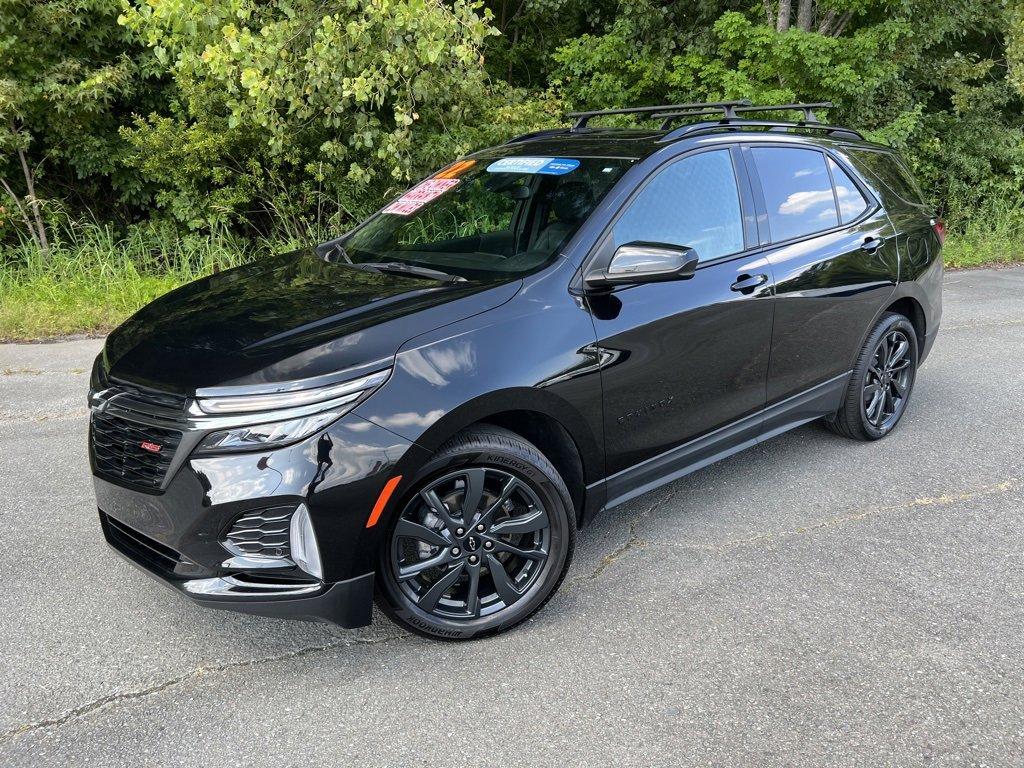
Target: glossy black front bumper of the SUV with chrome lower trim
pixel 178 534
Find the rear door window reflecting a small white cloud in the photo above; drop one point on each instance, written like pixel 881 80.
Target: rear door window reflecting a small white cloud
pixel 798 191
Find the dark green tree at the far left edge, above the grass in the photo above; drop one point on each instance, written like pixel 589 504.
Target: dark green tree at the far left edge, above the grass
pixel 68 74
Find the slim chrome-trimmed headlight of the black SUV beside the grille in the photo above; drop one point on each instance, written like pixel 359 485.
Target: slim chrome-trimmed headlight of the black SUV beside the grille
pixel 281 418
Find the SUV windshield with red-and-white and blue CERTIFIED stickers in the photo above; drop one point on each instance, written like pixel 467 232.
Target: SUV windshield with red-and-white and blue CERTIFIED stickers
pixel 487 219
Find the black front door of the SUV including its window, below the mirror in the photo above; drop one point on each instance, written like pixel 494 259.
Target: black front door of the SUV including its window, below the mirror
pixel 690 357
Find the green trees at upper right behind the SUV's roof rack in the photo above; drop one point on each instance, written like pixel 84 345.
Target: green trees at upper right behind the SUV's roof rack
pixel 928 78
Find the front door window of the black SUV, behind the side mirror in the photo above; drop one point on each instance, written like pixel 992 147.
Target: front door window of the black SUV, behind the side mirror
pixel 694 203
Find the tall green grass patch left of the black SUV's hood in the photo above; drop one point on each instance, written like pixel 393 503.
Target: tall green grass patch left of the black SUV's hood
pixel 95 277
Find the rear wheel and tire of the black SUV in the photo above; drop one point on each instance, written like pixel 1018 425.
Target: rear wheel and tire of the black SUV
pixel 864 416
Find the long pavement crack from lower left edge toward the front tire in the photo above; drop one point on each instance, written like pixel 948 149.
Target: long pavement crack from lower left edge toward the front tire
pixel 194 674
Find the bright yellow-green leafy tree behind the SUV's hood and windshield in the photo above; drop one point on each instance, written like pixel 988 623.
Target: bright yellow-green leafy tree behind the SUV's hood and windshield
pixel 284 105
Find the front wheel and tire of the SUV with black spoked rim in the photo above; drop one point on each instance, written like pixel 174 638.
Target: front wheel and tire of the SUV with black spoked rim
pixel 436 549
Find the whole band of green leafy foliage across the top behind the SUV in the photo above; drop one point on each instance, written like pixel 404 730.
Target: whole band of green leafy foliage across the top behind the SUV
pixel 294 118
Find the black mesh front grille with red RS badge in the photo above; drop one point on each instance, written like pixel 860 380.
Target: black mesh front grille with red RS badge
pixel 118 452
